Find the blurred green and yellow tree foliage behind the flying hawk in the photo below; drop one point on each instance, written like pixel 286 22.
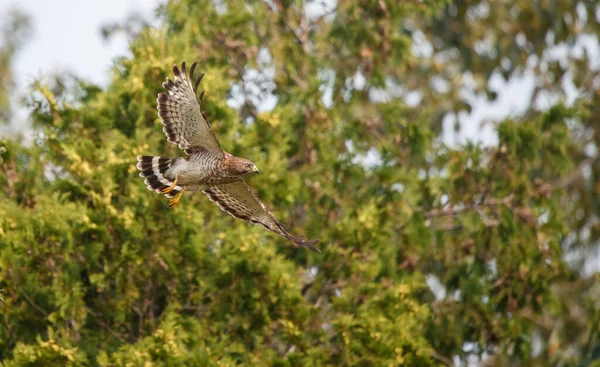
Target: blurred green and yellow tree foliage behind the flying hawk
pixel 432 253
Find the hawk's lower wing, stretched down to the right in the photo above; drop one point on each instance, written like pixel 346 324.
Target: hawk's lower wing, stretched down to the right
pixel 238 200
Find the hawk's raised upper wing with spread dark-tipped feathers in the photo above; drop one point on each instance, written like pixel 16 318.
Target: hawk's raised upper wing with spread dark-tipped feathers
pixel 184 123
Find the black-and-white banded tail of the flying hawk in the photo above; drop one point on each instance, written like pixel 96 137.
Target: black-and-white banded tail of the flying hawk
pixel 153 169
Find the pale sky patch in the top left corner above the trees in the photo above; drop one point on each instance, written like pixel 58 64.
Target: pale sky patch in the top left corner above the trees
pixel 66 37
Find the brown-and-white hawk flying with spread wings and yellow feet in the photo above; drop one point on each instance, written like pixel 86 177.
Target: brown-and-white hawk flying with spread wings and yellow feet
pixel 207 167
